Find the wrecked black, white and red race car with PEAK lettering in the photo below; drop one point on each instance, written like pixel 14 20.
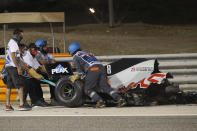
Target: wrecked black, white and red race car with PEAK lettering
pixel 139 81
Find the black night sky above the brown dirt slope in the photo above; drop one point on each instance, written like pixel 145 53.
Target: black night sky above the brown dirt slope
pixel 77 11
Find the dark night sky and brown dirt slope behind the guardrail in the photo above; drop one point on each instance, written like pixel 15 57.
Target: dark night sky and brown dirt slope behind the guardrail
pixel 126 26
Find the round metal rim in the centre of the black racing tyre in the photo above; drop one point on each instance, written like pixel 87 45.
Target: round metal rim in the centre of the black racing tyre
pixel 67 91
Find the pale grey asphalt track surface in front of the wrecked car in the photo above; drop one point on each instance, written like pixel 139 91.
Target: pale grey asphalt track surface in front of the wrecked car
pixel 152 118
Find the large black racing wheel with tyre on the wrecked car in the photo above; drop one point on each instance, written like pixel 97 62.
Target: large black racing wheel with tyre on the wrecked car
pixel 69 94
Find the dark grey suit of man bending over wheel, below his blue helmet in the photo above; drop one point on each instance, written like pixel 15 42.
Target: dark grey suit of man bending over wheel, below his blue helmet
pixel 94 73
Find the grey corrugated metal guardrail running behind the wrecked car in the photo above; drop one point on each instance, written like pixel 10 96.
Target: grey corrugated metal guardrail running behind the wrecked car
pixel 182 66
